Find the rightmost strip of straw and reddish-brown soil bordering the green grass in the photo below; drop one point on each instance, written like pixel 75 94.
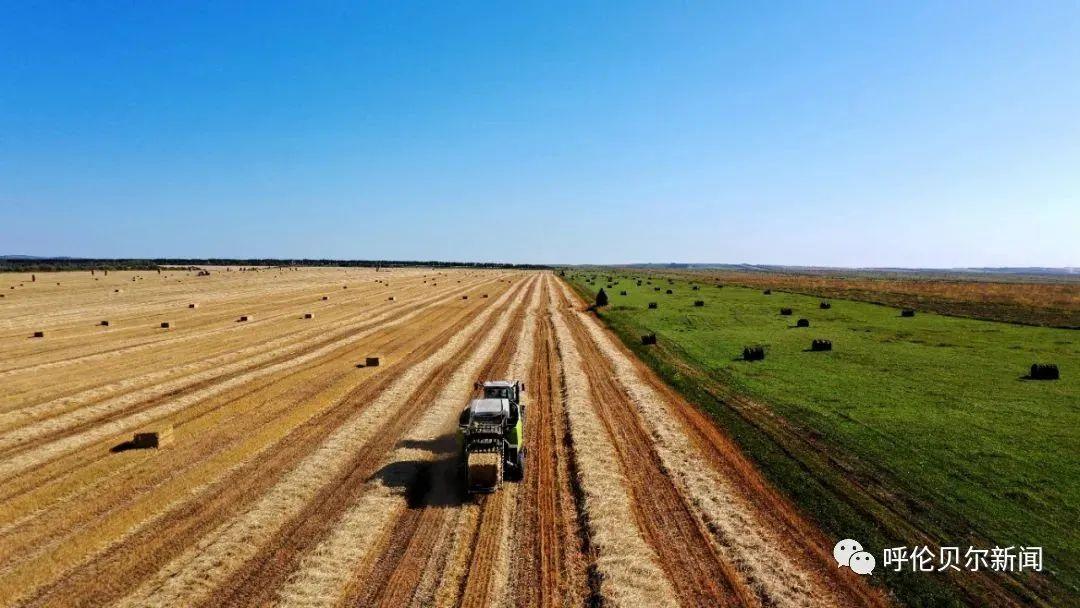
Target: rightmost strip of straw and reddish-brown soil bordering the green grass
pixel 755 539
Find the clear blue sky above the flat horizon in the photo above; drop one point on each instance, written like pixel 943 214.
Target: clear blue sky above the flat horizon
pixel 848 134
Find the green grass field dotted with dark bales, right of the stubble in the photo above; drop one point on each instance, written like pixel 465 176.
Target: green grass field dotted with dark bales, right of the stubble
pixel 910 426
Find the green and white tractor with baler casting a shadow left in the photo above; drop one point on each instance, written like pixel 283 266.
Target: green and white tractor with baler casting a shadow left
pixel 491 433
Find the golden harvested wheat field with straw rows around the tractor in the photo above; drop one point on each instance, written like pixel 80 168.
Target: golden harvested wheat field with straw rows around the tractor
pixel 274 467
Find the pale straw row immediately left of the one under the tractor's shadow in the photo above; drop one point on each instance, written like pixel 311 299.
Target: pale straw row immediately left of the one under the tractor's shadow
pixel 198 574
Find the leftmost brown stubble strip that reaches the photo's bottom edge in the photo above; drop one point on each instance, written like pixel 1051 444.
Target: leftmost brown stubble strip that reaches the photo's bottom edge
pixel 123 566
